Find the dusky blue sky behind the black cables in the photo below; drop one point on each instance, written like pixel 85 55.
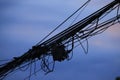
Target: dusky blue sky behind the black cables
pixel 24 23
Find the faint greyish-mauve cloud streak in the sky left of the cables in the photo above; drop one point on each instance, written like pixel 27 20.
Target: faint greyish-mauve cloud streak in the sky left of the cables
pixel 24 33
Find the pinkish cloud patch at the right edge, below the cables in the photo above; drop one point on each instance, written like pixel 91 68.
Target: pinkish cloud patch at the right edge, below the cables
pixel 108 39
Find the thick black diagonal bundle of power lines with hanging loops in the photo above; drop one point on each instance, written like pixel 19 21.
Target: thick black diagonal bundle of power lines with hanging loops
pixel 54 49
